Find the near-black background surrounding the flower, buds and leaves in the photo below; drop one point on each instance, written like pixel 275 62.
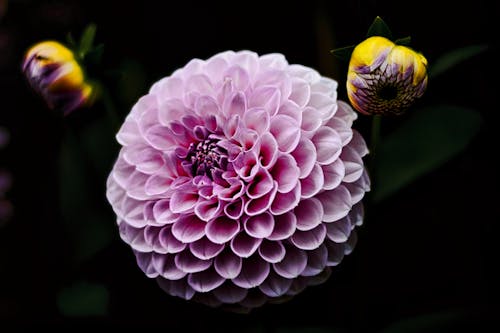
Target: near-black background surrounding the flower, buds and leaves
pixel 426 254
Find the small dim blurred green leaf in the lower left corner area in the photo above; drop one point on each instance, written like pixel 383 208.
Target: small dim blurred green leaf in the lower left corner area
pixel 83 299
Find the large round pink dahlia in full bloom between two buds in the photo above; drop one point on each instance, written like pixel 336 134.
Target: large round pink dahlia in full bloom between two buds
pixel 240 180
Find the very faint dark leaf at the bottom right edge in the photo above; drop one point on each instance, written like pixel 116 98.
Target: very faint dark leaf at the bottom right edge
pixel 430 323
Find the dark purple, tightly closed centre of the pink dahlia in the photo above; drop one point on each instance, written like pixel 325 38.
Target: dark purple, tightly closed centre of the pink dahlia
pixel 205 157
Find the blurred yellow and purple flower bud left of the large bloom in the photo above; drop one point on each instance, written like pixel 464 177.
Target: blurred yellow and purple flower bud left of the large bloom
pixel 53 72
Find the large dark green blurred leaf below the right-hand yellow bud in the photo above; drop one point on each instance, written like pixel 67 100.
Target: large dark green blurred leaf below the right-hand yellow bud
pixel 429 138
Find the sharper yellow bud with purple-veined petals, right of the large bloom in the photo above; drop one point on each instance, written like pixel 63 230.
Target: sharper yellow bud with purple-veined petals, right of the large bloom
pixel 385 78
